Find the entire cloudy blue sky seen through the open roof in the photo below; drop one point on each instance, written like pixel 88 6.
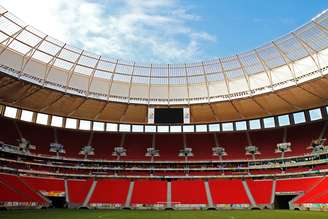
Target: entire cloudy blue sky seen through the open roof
pixel 166 31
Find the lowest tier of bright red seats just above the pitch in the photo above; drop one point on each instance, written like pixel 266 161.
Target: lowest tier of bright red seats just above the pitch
pixel 137 193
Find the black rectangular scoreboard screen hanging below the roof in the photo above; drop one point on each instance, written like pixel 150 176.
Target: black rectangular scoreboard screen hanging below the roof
pixel 168 115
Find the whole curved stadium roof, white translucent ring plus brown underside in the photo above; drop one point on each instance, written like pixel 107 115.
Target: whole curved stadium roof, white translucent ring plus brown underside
pixel 287 74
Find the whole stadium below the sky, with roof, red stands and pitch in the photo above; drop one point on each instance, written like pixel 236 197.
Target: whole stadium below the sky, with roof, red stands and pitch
pixel 232 135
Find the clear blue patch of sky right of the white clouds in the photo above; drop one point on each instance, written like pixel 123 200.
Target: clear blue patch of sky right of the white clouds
pixel 241 25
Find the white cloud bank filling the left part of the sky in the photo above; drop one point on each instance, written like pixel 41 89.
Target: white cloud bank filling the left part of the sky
pixel 141 30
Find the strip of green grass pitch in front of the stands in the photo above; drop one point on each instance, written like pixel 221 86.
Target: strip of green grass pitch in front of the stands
pixel 126 214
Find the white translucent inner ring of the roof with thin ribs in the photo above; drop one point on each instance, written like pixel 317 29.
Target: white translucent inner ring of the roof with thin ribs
pixel 295 58
